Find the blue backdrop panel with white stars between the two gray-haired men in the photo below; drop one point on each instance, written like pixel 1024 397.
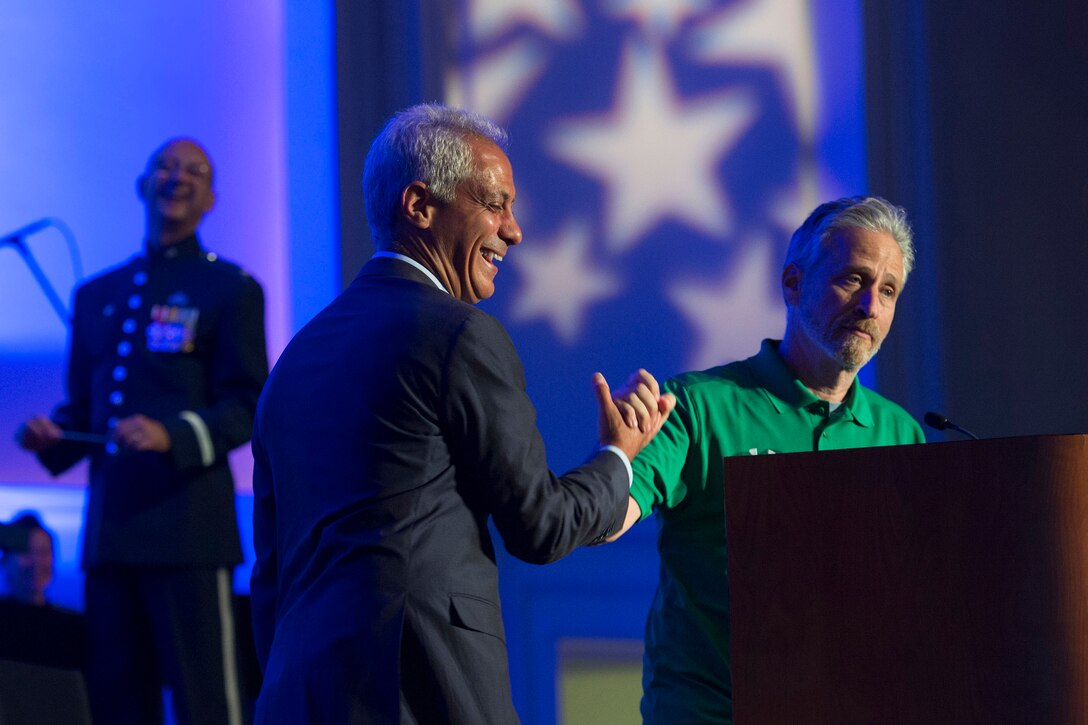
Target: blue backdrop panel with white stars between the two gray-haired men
pixel 664 152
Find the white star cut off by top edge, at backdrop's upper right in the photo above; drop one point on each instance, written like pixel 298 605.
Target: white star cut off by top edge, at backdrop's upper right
pixel 778 33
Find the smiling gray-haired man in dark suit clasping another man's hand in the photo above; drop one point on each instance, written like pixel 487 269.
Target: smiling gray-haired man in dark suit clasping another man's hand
pixel 394 426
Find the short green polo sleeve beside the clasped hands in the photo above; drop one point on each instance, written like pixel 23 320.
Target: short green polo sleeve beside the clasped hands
pixel 659 468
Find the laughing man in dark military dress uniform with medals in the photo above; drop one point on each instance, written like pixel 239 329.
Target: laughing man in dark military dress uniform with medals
pixel 166 365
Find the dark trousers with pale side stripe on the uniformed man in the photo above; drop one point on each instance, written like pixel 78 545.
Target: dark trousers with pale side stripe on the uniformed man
pixel 155 628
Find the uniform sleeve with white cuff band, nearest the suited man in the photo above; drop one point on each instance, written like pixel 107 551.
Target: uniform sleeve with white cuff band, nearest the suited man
pixel 205 436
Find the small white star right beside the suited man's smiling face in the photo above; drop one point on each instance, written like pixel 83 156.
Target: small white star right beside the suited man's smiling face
pixel 560 282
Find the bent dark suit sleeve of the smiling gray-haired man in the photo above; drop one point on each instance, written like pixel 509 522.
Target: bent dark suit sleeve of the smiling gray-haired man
pixel 496 445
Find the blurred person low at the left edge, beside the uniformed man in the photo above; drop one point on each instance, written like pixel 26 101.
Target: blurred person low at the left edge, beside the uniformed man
pixel 32 630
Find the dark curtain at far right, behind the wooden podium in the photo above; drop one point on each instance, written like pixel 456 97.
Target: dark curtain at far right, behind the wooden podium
pixel 979 125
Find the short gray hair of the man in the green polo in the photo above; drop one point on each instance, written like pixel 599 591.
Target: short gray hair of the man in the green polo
pixel 868 213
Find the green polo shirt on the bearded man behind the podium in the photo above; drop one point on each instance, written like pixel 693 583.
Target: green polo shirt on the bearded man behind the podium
pixel 751 408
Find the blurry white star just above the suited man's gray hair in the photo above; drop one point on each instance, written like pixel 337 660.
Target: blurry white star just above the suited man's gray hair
pixel 497 84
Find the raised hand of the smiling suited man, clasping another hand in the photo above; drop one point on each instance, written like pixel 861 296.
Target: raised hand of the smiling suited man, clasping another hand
pixel 632 419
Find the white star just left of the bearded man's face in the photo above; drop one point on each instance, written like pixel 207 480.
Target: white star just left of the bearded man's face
pixel 732 317
